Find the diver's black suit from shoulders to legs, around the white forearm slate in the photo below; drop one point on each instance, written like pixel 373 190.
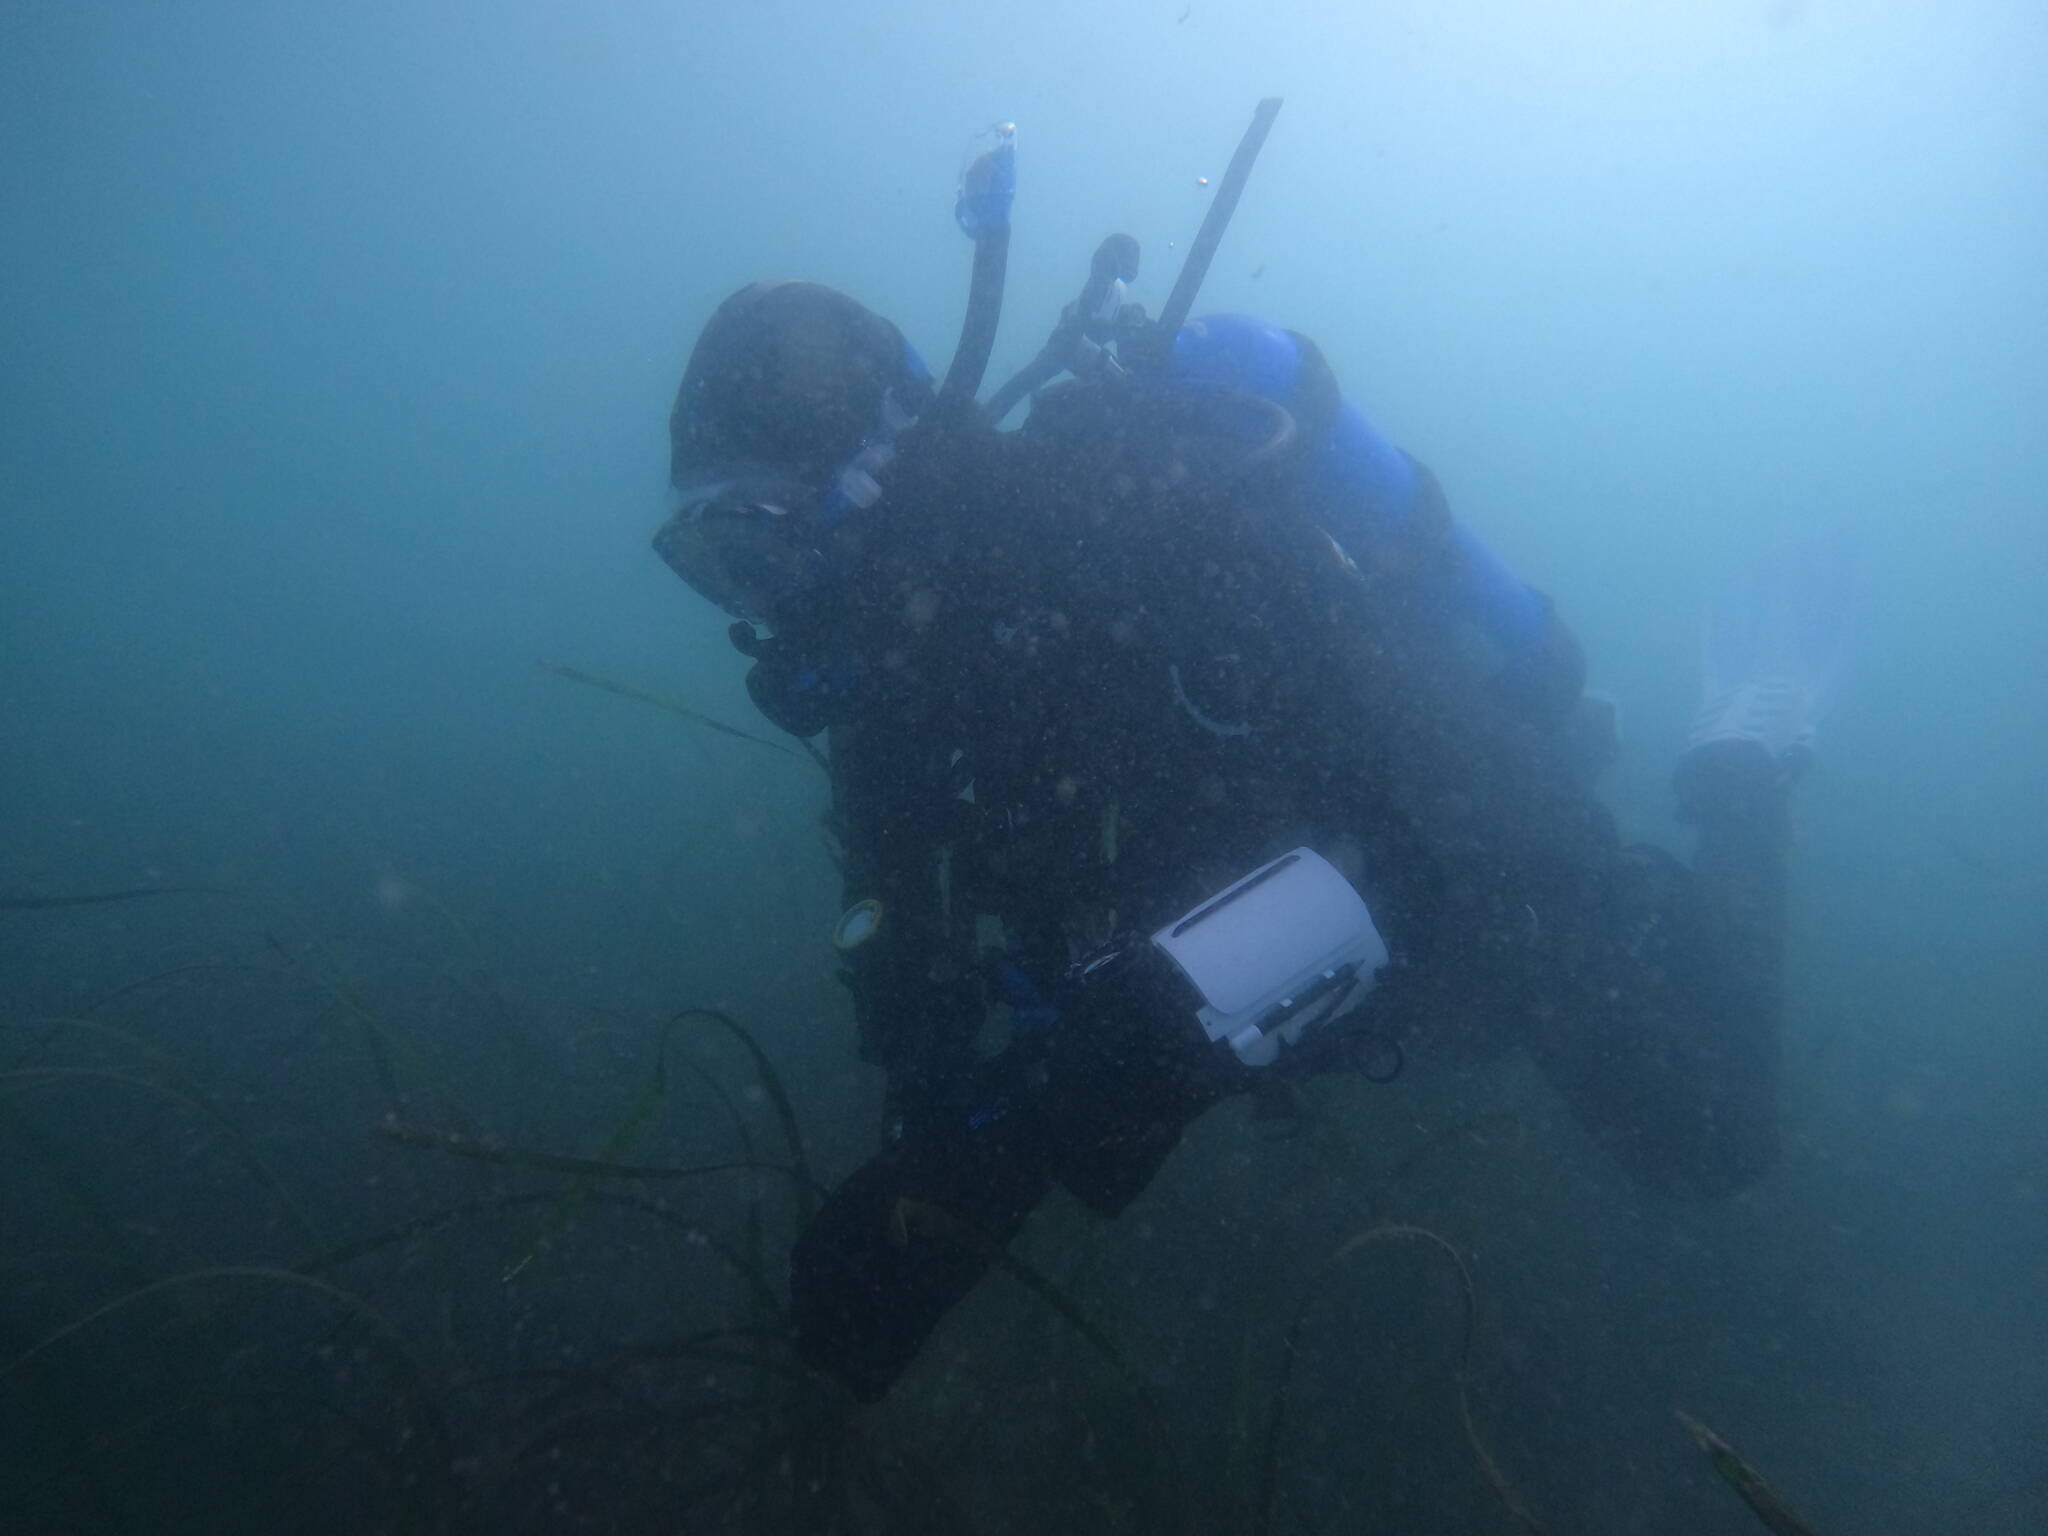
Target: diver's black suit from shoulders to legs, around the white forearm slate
pixel 1113 663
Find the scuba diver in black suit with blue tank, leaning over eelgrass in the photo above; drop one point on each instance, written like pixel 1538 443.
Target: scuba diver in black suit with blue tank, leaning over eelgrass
pixel 1183 742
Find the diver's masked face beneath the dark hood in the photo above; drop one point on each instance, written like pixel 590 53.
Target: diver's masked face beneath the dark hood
pixel 746 542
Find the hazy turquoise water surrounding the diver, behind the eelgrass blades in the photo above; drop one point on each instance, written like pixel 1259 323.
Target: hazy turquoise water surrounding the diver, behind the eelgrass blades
pixel 339 355
